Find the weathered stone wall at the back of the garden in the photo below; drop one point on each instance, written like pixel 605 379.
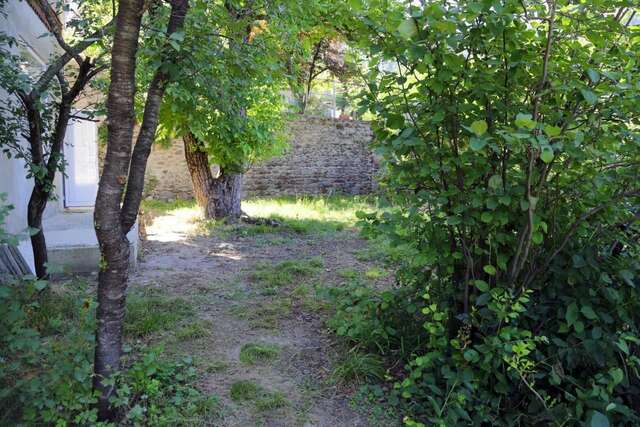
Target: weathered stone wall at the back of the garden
pixel 325 156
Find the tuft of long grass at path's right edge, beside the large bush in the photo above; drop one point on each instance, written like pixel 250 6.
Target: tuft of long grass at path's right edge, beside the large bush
pixel 357 367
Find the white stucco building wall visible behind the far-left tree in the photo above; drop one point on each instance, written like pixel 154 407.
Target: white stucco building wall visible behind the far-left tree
pixel 23 24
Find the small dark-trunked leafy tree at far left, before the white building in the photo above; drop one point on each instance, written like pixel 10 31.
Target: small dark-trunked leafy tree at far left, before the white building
pixel 39 106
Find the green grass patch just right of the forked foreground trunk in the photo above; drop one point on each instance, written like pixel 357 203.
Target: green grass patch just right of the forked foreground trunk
pixel 149 312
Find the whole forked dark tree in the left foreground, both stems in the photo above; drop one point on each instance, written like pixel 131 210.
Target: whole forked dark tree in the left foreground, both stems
pixel 125 166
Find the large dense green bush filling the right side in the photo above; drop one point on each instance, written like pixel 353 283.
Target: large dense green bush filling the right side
pixel 509 131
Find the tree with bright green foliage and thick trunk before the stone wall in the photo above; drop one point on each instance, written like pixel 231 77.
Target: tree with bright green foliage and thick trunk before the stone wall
pixel 226 104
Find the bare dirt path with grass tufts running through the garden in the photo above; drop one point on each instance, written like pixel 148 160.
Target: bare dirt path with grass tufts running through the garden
pixel 243 295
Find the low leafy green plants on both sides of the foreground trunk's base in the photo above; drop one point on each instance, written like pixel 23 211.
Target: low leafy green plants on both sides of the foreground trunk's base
pixel 46 354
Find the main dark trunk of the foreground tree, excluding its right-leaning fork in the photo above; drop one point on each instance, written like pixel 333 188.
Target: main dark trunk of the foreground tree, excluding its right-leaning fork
pixel 114 246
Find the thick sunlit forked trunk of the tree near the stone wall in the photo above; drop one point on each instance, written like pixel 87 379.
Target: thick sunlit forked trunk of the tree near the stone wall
pixel 217 197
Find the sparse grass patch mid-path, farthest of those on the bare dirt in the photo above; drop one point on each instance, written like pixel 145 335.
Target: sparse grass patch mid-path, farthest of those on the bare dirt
pixel 275 276
